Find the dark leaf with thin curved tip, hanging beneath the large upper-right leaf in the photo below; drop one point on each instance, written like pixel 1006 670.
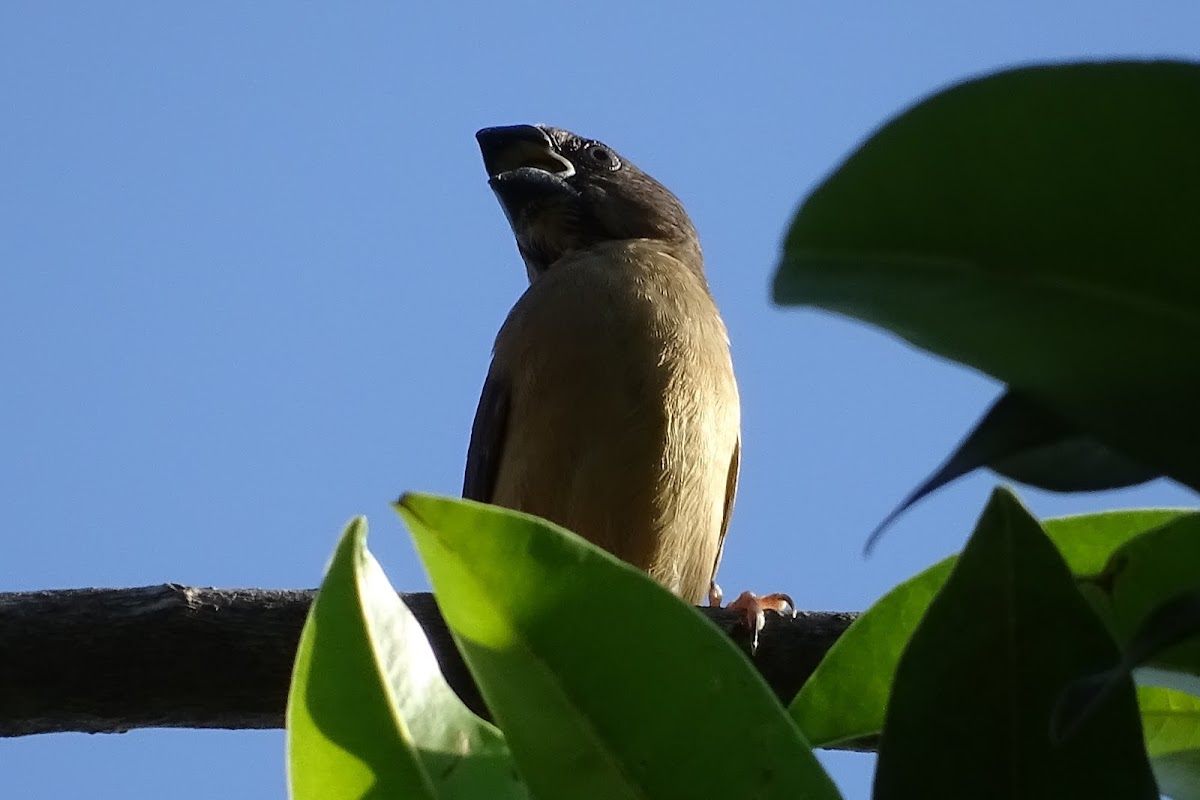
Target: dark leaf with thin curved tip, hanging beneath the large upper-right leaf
pixel 1021 440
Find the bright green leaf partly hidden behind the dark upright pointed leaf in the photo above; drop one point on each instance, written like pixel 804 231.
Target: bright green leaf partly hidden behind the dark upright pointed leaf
pixel 847 696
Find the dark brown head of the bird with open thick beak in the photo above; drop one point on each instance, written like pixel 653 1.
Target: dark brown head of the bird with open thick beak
pixel 563 194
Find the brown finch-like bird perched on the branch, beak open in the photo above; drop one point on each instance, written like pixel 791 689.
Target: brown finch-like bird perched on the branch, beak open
pixel 611 406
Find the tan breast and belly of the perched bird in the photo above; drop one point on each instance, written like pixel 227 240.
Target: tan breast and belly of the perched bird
pixel 625 411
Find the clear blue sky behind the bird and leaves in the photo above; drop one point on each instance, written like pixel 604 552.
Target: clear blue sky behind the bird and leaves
pixel 250 274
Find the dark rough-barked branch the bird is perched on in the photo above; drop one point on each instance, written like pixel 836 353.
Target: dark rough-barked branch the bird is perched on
pixel 172 657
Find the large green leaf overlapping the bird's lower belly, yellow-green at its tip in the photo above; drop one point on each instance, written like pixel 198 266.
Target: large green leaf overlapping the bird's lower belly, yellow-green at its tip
pixel 605 685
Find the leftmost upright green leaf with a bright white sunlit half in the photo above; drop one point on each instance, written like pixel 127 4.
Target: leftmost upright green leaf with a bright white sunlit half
pixel 369 713
